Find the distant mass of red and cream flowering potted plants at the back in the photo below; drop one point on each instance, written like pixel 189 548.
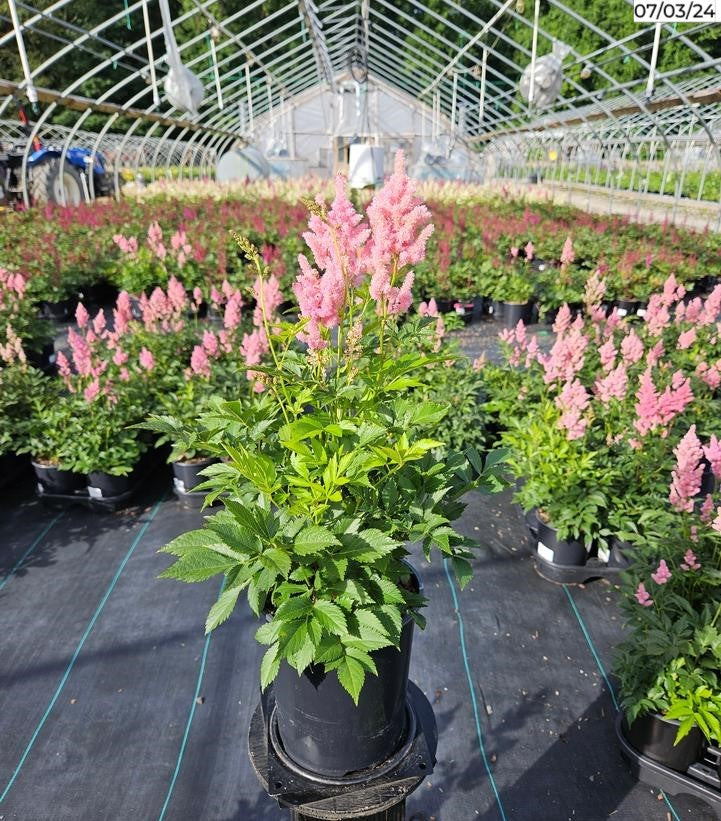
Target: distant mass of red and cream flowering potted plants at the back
pixel 480 247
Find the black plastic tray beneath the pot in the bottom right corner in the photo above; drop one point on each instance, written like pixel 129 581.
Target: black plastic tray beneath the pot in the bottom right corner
pixel 700 780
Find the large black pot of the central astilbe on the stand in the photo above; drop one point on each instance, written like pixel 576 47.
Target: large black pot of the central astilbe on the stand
pixel 323 731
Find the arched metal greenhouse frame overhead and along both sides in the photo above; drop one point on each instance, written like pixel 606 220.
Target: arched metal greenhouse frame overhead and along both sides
pixel 658 134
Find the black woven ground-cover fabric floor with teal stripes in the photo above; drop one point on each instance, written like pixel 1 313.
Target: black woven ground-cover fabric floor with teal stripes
pixel 115 706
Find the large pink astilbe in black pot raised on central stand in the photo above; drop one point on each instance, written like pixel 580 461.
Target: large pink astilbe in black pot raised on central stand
pixel 326 476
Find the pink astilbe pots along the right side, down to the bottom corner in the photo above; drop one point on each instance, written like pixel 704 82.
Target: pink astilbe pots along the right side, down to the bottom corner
pixel 610 438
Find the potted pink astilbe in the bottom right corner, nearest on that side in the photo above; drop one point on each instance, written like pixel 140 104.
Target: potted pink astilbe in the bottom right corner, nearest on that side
pixel 668 666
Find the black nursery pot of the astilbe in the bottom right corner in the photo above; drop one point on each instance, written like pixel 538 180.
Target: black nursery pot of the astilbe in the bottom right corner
pixel 653 736
